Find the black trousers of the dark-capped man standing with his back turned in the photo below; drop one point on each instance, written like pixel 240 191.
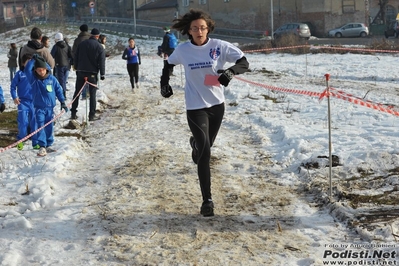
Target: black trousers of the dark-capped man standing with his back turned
pixel 80 80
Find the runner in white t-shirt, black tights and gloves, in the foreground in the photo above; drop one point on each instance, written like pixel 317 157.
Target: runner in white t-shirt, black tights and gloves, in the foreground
pixel 203 59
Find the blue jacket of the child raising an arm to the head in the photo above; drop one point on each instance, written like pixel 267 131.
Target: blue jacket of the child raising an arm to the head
pixel 44 89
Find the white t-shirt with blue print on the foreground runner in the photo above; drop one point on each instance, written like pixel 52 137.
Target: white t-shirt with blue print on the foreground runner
pixel 199 61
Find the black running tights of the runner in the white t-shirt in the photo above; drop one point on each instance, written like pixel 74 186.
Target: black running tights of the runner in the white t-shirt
pixel 204 125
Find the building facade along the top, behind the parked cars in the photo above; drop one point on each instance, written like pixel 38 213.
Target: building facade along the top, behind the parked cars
pixel 322 15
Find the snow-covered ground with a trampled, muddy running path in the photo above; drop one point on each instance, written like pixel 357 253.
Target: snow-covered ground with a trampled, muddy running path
pixel 124 191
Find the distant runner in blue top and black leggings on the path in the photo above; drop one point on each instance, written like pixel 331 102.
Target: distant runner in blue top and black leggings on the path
pixel 132 55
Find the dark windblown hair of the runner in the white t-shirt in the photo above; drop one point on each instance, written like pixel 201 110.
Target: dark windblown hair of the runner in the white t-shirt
pixel 183 24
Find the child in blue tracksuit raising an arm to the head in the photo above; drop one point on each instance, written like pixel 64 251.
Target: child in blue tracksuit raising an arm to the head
pixel 45 90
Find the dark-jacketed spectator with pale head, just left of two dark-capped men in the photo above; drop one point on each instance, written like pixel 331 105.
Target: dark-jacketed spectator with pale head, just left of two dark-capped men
pixel 62 56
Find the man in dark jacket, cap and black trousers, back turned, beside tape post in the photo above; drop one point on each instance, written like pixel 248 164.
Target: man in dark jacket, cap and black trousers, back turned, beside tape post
pixel 89 60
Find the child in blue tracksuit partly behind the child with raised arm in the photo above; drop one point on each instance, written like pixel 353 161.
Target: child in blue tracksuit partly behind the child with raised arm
pixel 21 93
